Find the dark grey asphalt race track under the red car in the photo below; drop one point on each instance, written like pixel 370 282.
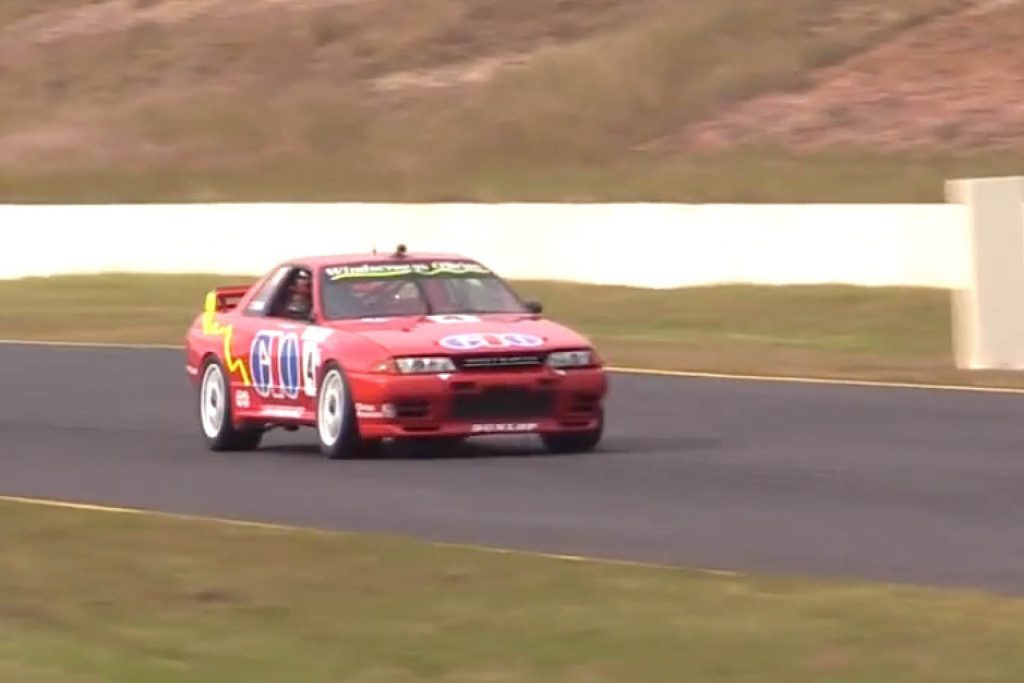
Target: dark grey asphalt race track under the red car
pixel 868 483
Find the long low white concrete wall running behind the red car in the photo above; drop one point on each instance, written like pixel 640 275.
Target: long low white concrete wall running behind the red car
pixel 645 245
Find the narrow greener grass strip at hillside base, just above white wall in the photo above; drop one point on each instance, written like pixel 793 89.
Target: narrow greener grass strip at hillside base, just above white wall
pixel 747 177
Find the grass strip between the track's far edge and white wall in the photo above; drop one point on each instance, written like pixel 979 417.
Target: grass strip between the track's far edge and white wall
pixel 823 331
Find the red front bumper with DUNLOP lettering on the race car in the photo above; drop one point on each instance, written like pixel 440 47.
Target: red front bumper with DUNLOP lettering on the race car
pixel 480 404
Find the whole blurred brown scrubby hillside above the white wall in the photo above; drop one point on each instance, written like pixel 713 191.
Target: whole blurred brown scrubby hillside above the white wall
pixel 490 100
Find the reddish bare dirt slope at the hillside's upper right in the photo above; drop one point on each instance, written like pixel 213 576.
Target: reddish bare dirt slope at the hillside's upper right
pixel 955 83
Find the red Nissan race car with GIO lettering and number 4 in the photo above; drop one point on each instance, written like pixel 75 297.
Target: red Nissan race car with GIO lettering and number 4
pixel 421 349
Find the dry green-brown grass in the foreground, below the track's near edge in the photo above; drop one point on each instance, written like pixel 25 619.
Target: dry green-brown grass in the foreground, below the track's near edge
pixel 91 597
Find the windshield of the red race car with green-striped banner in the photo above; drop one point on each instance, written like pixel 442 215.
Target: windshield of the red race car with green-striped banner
pixel 392 290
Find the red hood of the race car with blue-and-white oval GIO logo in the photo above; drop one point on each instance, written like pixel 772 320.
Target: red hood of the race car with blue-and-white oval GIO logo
pixel 464 334
